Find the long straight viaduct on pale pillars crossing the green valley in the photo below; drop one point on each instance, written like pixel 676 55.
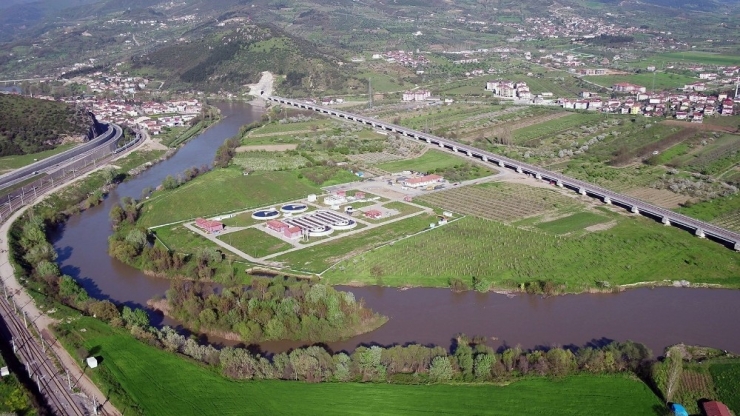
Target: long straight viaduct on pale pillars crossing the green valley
pixel 667 217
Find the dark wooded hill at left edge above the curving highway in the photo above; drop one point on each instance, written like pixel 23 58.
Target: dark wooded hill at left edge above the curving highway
pixel 30 125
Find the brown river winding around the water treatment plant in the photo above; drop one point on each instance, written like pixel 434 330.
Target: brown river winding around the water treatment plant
pixel 657 317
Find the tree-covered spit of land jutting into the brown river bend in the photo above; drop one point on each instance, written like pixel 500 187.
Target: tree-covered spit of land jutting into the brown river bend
pixel 272 309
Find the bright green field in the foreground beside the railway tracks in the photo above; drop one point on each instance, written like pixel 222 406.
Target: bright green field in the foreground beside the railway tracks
pixel 141 379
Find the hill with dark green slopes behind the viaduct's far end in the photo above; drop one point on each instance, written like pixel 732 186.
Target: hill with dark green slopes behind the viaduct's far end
pixel 236 56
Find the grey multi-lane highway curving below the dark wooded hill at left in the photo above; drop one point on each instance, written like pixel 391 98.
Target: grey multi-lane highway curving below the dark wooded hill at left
pixel 109 140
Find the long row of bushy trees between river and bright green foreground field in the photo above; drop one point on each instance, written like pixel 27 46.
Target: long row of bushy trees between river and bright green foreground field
pixel 470 361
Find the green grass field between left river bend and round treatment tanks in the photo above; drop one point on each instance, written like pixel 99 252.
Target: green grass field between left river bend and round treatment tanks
pixel 223 190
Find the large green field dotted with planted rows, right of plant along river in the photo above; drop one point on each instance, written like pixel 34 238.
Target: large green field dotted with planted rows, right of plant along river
pixel 633 250
